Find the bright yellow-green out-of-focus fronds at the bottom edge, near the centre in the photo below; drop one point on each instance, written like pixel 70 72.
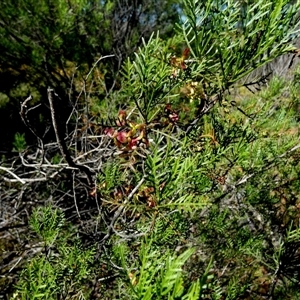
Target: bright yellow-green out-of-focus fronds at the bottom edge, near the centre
pixel 160 276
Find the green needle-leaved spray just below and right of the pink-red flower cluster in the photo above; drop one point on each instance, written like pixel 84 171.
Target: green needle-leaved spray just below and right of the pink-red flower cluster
pixel 171 172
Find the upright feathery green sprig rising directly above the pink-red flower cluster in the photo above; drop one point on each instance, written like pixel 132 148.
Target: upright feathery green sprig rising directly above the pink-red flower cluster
pixel 149 76
